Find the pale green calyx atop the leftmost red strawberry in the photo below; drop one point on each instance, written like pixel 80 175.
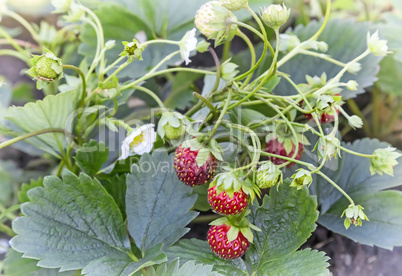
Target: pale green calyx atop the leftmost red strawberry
pixel 204 151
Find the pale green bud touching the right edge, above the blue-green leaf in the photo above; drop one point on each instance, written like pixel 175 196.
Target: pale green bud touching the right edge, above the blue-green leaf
pixel 384 161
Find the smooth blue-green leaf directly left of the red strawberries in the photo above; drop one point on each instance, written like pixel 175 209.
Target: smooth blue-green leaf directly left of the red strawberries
pixel 157 202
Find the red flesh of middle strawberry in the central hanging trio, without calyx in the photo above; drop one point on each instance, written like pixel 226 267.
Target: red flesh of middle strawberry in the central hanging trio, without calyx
pixel 224 205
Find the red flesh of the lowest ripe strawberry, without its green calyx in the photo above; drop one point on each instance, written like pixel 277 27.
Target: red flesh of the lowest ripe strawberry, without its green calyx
pixel 218 241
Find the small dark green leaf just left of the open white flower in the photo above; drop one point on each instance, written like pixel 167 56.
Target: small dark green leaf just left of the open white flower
pixel 91 156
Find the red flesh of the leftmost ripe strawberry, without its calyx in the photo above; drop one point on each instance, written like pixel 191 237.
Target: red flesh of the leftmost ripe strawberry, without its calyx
pixel 187 169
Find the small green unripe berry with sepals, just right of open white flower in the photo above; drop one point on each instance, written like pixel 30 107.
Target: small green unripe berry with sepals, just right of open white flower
pixel 172 125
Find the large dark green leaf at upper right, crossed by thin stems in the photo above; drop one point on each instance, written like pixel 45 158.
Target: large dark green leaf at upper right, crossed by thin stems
pixel 346 40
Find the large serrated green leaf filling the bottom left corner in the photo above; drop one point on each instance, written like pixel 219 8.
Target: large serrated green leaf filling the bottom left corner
pixel 69 223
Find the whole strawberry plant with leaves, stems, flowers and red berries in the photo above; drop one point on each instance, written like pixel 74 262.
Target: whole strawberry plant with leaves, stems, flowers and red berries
pixel 144 141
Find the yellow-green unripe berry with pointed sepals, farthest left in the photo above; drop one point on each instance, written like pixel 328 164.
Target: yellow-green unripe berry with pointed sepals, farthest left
pixel 45 68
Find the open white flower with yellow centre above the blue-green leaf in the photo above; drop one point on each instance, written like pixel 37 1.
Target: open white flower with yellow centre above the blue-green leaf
pixel 141 140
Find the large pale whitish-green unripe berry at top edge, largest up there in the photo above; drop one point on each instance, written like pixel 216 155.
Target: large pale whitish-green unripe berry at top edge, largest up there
pixel 214 21
